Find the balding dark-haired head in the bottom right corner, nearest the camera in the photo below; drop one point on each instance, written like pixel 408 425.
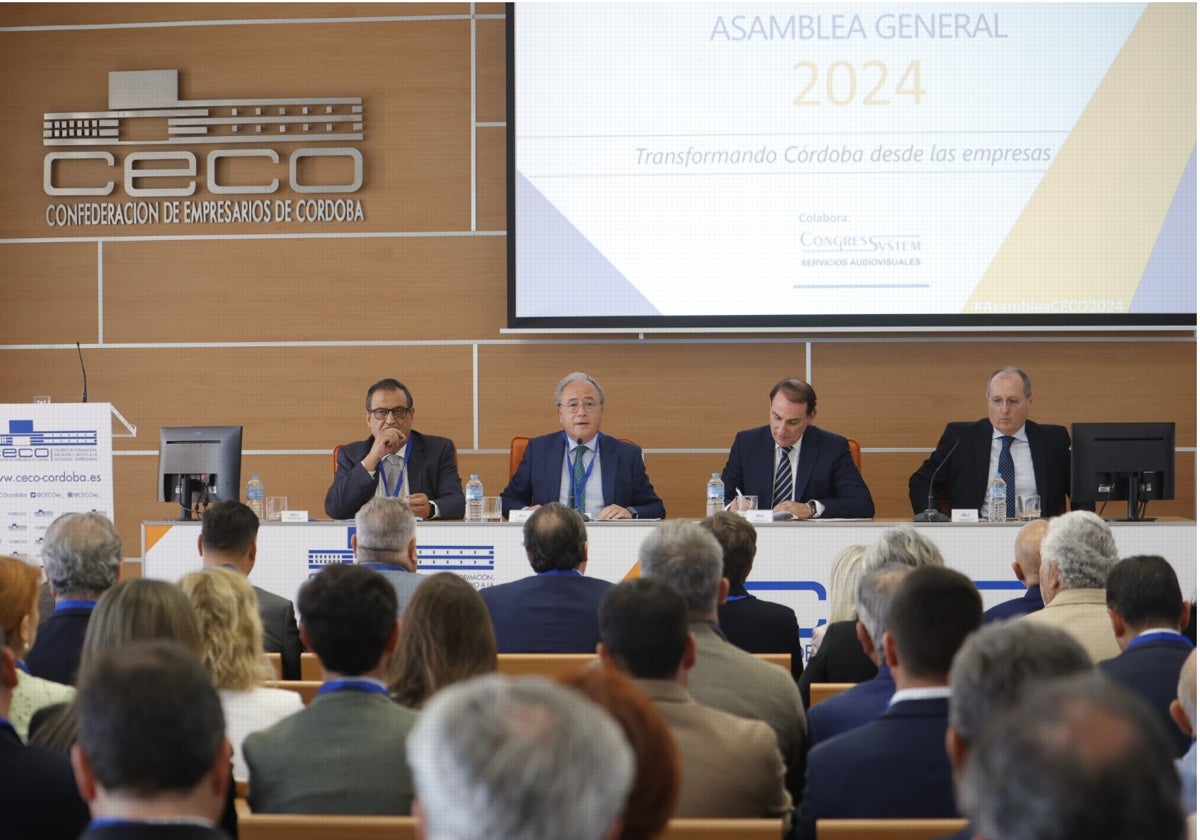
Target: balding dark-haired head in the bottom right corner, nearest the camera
pixel 1076 758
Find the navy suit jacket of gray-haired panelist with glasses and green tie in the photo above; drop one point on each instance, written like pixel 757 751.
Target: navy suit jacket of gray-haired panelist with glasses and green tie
pixel 623 477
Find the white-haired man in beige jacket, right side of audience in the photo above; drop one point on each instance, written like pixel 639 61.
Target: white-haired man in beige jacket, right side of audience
pixel 1077 556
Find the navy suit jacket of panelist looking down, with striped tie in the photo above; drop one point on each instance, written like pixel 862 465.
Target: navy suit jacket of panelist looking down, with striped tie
pixel 825 472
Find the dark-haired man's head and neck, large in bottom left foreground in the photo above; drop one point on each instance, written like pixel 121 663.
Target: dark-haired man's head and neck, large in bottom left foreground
pixel 153 760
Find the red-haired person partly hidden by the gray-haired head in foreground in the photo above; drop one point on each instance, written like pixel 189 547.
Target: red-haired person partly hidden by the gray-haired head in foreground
pixel 656 790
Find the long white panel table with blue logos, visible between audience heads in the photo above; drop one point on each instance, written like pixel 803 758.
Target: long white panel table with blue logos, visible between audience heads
pixel 793 566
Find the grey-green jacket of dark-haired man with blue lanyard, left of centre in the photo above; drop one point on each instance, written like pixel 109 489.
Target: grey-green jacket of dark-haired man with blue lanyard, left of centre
pixel 345 754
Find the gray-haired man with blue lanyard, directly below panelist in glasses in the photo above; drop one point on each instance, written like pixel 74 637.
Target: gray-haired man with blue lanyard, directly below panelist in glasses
pixel 386 541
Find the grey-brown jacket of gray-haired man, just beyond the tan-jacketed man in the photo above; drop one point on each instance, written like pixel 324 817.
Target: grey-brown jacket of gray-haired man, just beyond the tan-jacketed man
pixel 729 679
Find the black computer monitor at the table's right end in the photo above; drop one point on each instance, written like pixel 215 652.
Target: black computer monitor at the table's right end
pixel 1127 463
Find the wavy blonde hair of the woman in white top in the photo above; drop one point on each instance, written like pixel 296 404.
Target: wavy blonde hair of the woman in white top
pixel 231 628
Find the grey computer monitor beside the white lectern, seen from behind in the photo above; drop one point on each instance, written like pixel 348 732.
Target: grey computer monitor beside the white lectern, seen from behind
pixel 199 465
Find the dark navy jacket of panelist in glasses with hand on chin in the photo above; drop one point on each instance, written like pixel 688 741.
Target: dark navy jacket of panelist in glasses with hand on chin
pixel 433 470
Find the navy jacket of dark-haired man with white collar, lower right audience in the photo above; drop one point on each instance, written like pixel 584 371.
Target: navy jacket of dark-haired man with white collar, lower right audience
pixel 893 767
